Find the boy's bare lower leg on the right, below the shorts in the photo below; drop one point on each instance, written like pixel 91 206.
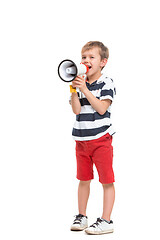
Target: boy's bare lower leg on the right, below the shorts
pixel 108 200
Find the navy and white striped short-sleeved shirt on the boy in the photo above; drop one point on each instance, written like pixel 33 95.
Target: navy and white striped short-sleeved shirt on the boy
pixel 90 124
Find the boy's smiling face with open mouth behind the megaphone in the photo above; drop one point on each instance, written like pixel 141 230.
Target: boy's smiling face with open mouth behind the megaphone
pixel 93 60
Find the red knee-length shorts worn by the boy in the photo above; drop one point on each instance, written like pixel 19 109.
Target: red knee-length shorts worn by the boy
pixel 98 152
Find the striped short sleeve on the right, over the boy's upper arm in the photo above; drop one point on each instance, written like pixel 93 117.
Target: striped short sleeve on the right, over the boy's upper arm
pixel 108 90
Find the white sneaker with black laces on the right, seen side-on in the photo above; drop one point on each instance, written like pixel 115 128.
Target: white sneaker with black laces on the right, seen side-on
pixel 101 226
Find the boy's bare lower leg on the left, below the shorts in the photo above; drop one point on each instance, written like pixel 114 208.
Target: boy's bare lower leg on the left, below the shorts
pixel 83 195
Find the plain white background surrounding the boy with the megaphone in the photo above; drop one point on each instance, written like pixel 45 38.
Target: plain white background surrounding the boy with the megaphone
pixel 38 188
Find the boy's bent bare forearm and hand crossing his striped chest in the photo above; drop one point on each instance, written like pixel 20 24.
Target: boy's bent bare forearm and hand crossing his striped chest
pixel 100 106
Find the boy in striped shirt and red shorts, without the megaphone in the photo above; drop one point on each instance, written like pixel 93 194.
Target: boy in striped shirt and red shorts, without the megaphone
pixel 93 132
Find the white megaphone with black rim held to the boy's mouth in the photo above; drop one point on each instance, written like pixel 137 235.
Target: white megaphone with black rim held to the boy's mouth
pixel 68 70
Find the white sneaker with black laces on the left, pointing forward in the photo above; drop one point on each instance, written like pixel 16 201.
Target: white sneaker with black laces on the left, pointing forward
pixel 80 223
